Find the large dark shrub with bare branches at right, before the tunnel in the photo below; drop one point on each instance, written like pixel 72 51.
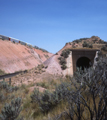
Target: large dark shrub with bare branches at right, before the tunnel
pixel 88 97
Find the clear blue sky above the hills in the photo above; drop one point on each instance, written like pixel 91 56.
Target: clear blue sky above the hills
pixel 50 24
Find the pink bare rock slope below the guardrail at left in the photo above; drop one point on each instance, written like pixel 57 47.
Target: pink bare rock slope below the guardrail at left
pixel 15 57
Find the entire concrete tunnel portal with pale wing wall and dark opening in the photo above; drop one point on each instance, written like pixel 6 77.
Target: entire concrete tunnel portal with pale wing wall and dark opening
pixel 83 58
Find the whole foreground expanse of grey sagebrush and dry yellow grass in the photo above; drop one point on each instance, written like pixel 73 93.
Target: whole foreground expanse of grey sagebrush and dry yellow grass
pixel 82 97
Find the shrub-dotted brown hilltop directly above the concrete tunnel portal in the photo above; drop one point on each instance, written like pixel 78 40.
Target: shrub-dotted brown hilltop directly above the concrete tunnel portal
pixel 93 42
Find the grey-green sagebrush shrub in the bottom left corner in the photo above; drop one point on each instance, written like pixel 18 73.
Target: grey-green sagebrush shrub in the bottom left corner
pixel 12 110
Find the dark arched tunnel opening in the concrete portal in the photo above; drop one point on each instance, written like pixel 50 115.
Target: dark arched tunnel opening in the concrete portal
pixel 83 62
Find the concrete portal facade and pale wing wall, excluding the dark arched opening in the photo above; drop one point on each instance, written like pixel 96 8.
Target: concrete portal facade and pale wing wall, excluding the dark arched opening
pixel 75 55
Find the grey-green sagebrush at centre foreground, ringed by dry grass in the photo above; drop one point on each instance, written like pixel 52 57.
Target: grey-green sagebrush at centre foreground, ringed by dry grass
pixel 47 101
